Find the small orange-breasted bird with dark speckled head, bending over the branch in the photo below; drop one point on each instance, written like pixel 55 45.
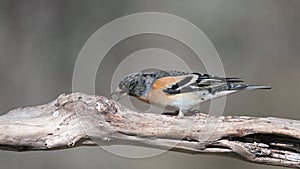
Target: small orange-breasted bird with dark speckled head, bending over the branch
pixel 178 89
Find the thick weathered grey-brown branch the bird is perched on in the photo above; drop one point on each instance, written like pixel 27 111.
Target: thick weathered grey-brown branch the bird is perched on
pixel 79 119
